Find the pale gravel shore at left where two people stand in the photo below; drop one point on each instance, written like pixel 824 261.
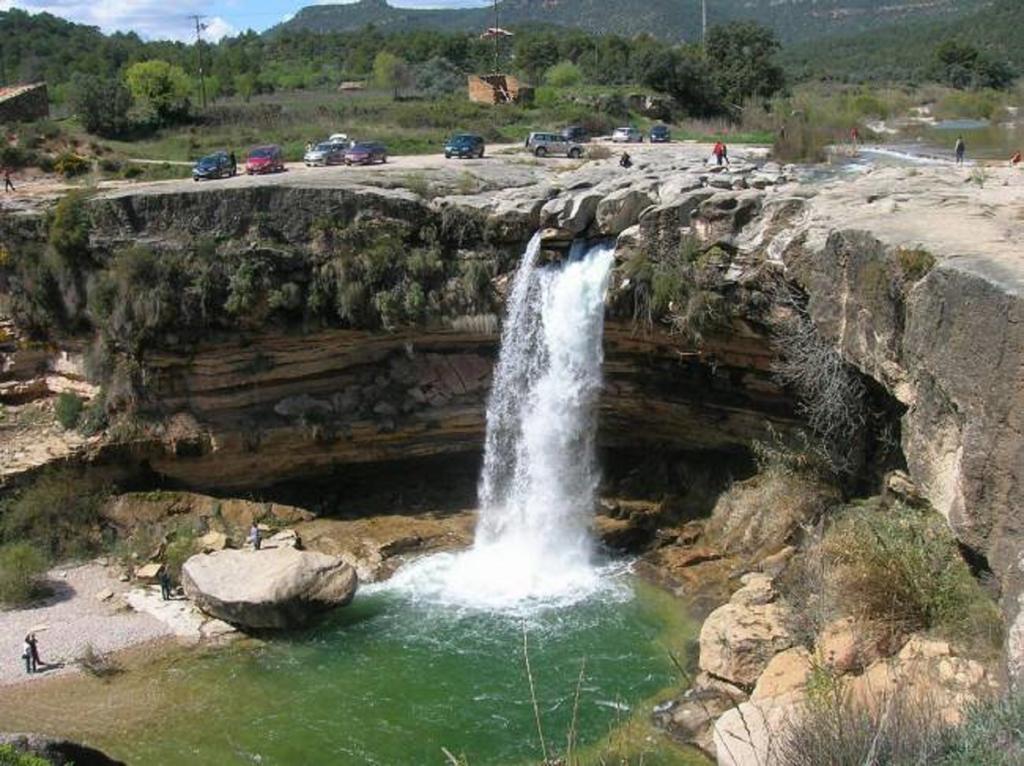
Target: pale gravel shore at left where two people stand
pixel 75 618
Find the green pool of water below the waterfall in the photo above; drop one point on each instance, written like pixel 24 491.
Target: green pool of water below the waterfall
pixel 388 682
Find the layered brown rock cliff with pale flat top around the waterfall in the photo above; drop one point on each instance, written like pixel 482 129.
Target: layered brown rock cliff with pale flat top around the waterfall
pixel 926 306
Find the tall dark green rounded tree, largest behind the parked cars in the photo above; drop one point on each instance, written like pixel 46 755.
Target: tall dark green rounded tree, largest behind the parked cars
pixel 742 58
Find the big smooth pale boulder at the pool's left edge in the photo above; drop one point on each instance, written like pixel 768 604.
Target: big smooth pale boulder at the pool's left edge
pixel 275 588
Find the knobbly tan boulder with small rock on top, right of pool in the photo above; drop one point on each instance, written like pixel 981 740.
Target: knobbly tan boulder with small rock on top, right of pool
pixel 739 640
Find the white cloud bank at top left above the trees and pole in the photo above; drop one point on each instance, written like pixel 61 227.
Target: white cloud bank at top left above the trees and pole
pixel 150 19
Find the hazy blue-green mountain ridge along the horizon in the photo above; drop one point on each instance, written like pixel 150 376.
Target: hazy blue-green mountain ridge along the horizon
pixel 675 20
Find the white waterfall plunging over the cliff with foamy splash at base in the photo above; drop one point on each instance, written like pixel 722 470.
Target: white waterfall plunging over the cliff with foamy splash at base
pixel 539 480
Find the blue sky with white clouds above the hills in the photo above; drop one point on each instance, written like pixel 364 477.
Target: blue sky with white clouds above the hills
pixel 162 20
